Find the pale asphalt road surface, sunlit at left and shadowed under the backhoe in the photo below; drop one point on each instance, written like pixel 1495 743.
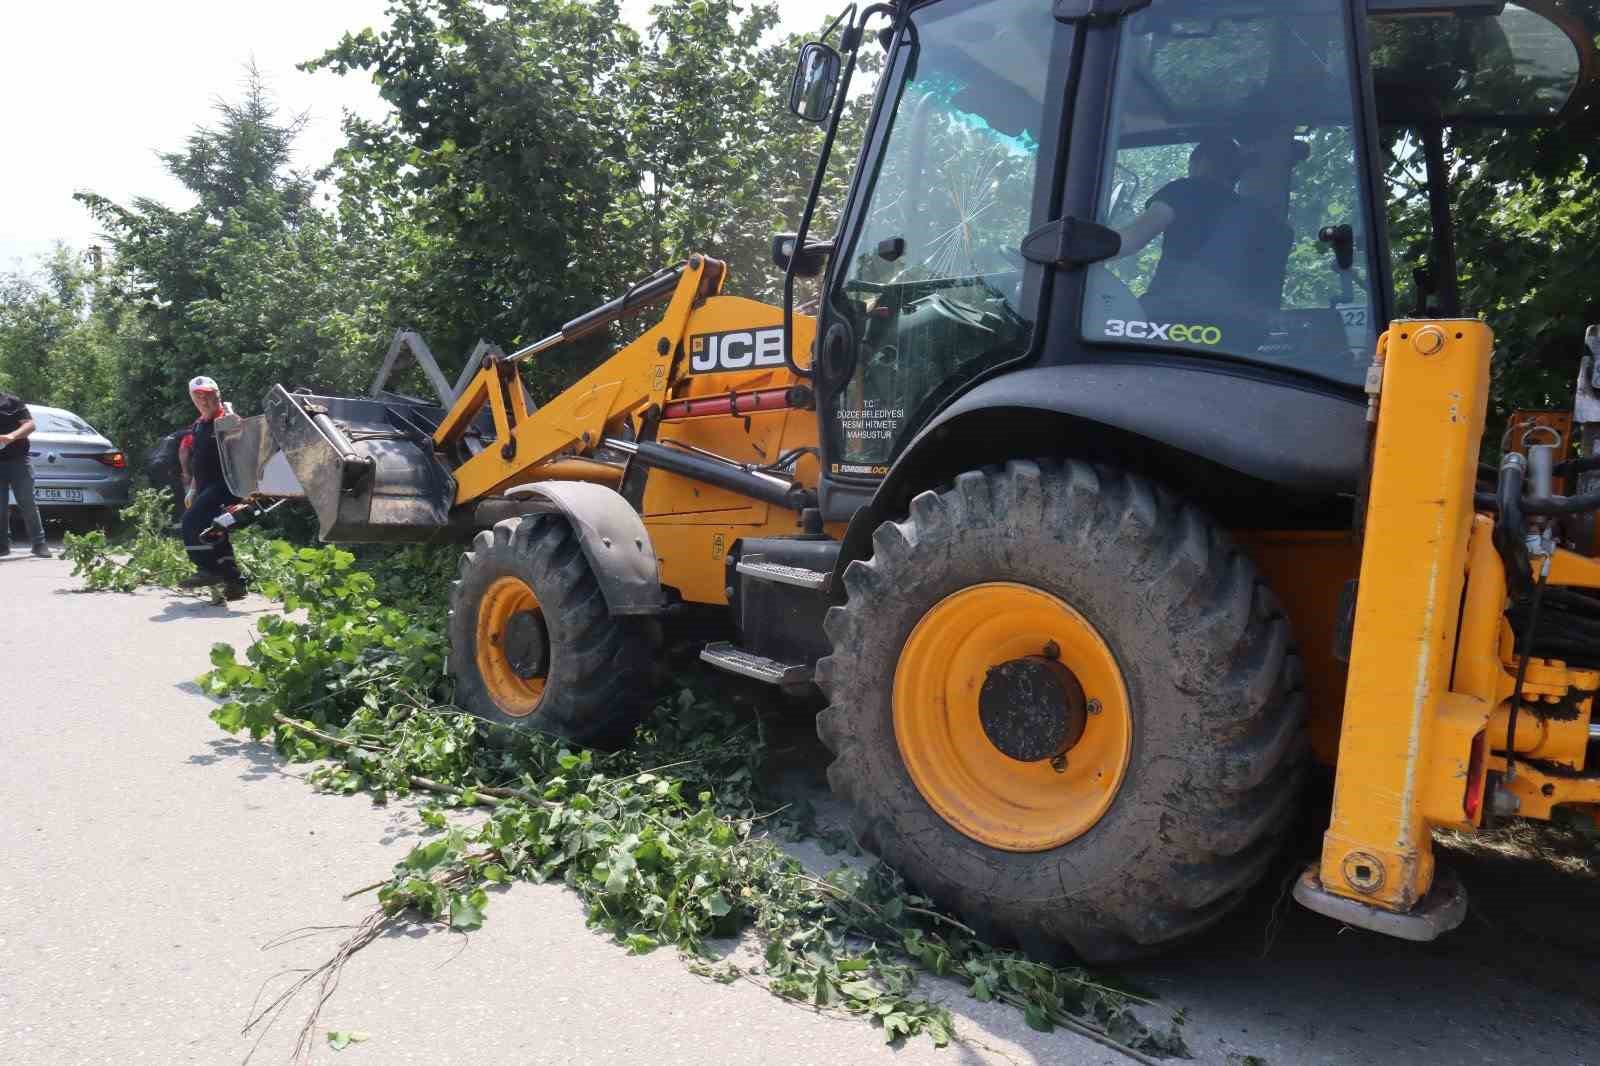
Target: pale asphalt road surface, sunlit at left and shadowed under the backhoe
pixel 146 862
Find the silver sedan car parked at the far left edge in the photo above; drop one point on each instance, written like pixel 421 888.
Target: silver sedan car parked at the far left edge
pixel 78 473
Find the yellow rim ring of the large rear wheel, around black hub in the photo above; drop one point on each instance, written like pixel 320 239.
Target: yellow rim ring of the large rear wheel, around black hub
pixel 975 787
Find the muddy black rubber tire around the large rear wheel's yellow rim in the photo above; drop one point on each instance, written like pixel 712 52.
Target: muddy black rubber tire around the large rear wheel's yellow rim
pixel 1212 683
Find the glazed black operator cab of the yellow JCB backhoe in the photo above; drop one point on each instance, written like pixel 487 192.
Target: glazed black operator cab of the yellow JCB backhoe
pixel 1228 174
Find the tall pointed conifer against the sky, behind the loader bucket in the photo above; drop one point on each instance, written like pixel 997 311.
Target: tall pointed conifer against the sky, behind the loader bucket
pixel 252 286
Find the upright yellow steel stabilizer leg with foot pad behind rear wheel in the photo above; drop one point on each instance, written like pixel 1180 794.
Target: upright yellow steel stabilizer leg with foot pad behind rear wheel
pixel 1404 729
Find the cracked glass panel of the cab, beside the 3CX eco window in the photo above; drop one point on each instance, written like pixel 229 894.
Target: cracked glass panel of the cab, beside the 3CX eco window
pixel 934 286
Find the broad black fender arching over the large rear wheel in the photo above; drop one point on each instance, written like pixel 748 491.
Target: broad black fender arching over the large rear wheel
pixel 1234 443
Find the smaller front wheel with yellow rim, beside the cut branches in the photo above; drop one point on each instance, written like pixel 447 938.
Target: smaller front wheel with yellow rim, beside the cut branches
pixel 532 644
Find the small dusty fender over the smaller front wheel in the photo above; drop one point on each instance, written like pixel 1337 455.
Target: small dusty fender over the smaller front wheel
pixel 612 537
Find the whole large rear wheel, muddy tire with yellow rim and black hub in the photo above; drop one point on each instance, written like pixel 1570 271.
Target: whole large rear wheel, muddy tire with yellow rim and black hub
pixel 1119 830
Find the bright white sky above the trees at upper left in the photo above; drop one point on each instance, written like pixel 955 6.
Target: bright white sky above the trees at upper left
pixel 94 89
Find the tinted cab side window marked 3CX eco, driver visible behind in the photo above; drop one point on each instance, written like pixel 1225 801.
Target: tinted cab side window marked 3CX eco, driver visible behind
pixel 1233 175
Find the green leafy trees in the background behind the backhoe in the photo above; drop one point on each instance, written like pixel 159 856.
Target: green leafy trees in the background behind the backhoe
pixel 542 154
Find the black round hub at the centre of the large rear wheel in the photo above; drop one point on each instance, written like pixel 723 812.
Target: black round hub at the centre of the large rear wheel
pixel 1033 708
